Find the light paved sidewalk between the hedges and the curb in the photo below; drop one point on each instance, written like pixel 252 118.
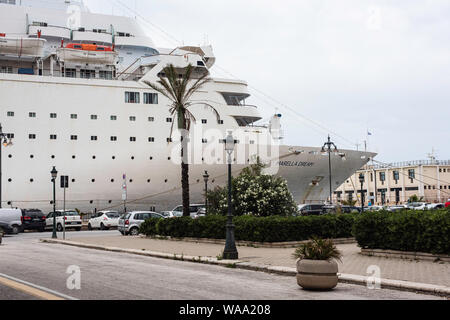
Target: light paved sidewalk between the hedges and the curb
pixel 353 263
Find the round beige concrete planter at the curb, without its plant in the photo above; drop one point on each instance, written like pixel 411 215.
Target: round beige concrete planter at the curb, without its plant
pixel 317 274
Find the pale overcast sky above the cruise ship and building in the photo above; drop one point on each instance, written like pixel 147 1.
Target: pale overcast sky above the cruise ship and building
pixel 339 67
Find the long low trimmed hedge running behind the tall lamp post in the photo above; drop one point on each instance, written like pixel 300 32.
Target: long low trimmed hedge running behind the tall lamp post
pixel 250 228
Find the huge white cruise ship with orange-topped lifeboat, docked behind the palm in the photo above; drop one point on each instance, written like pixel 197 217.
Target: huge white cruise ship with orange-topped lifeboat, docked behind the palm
pixel 74 96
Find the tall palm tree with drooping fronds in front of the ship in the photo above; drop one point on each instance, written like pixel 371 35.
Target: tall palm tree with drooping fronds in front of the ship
pixel 179 88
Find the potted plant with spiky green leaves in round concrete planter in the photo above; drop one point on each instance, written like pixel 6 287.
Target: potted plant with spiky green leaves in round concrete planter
pixel 316 264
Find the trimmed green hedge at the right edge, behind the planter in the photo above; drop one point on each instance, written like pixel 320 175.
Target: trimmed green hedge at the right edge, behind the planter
pixel 409 230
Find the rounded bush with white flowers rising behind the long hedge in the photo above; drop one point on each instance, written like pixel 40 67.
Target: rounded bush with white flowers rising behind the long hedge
pixel 254 193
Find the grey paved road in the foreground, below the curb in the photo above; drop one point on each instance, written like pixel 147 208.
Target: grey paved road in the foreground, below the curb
pixel 113 276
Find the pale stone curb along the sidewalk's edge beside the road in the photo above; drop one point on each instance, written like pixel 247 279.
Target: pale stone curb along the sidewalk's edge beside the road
pixel 400 285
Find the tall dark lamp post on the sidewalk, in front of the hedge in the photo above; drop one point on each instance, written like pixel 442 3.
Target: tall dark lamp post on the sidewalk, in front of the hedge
pixel 230 252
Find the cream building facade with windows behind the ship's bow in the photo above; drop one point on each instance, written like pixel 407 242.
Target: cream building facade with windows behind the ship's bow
pixel 395 183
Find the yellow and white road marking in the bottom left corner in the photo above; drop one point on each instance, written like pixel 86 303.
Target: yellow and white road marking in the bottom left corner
pixel 33 289
